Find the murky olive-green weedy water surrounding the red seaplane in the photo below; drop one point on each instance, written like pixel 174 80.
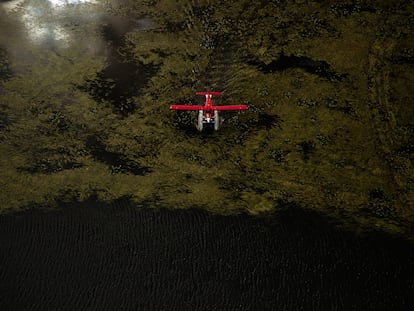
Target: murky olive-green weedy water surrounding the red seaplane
pixel 86 86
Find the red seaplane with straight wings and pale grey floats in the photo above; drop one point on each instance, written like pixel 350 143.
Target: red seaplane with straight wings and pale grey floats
pixel 208 114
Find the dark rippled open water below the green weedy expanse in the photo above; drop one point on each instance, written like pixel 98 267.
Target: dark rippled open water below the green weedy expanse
pixel 121 257
